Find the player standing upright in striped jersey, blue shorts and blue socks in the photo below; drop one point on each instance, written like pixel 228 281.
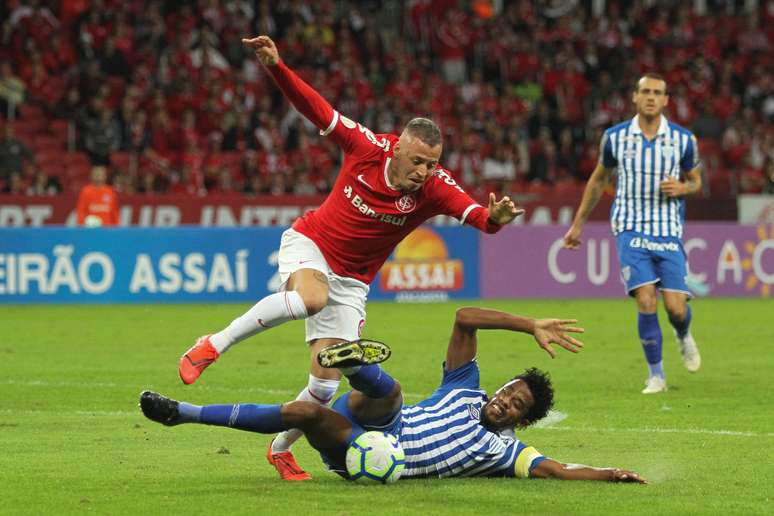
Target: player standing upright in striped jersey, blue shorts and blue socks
pixel 657 164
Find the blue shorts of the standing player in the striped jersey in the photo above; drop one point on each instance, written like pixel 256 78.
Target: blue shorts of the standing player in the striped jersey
pixel 649 260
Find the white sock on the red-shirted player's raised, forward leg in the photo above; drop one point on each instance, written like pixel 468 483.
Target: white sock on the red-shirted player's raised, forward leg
pixel 270 311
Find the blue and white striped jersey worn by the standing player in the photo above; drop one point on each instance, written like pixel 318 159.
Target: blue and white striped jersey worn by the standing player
pixel 641 165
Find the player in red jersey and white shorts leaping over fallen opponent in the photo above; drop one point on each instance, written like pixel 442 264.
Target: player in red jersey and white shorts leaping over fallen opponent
pixel 387 186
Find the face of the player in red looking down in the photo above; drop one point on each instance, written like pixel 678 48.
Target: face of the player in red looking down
pixel 413 162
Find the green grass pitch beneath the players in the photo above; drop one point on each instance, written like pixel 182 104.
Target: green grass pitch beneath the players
pixel 74 441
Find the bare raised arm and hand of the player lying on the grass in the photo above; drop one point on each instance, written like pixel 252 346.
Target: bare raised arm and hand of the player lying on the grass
pixel 463 343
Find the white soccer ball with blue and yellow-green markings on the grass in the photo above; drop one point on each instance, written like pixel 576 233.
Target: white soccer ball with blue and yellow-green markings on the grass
pixel 375 457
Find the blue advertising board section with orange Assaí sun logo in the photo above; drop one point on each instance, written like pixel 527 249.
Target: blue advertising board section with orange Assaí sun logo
pixel 431 264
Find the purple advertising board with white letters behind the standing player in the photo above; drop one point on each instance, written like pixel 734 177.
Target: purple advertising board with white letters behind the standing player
pixel 724 259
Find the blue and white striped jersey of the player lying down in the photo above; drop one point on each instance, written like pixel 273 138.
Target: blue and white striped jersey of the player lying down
pixel 443 435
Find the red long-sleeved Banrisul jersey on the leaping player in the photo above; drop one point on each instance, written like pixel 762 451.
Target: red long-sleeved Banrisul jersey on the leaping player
pixel 364 217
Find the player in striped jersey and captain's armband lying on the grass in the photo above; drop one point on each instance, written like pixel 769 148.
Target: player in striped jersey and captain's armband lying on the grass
pixel 457 432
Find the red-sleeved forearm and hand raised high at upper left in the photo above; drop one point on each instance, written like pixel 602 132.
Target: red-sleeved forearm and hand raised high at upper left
pixel 303 97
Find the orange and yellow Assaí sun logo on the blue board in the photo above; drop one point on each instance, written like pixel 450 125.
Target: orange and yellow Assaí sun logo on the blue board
pixel 421 263
